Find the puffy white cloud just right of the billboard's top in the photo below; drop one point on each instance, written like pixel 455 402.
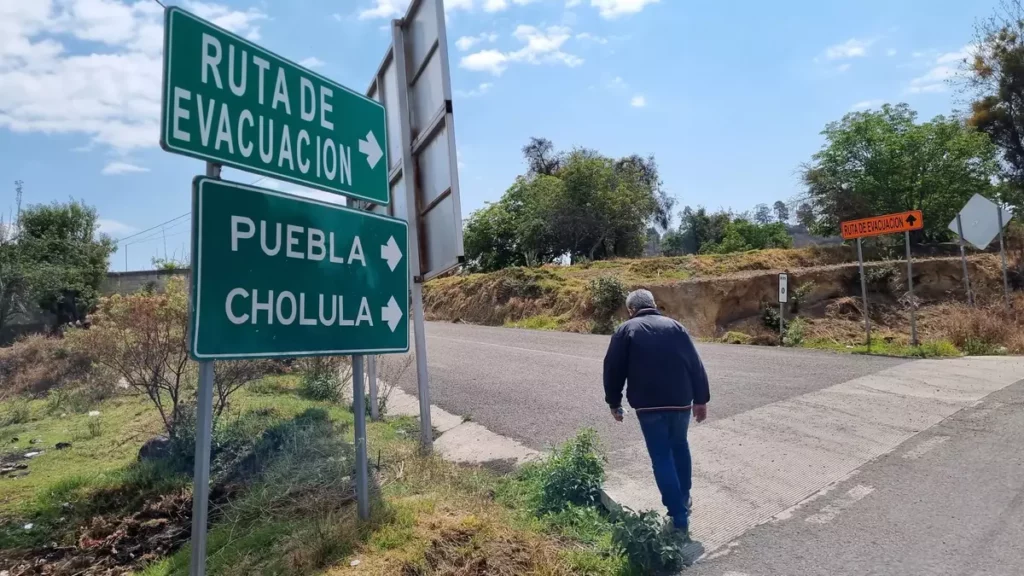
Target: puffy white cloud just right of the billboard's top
pixel 542 47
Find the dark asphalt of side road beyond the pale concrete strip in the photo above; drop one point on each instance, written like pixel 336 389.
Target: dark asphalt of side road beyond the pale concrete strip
pixel 541 388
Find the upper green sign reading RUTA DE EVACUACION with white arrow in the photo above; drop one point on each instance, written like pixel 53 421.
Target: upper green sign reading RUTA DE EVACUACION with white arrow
pixel 228 101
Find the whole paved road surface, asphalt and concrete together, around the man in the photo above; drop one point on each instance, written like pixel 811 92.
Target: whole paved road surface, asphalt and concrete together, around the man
pixel 859 465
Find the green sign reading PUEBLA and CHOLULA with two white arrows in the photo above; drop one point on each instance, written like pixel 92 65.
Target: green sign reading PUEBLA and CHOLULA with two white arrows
pixel 276 275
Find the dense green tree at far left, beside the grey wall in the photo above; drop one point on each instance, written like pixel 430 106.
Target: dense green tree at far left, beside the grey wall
pixel 65 260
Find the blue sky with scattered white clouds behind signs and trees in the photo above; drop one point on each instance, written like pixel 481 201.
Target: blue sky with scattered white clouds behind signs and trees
pixel 730 97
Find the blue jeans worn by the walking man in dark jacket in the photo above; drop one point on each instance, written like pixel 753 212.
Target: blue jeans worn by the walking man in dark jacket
pixel 665 433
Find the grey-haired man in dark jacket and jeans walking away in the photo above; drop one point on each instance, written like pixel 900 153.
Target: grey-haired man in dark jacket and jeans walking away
pixel 667 382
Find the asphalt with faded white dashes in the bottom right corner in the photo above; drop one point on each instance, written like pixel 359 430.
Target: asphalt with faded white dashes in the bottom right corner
pixel 949 503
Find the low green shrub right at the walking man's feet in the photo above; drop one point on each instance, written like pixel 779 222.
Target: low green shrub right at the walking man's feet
pixel 650 549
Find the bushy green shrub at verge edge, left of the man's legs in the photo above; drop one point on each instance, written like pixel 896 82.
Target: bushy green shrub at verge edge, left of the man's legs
pixel 573 475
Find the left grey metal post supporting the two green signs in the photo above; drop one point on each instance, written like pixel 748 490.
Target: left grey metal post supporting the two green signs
pixel 204 439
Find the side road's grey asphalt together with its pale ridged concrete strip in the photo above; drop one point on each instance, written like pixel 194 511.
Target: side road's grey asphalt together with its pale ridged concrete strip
pixel 785 425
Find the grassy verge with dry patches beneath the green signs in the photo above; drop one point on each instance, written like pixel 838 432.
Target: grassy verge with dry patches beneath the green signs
pixel 293 514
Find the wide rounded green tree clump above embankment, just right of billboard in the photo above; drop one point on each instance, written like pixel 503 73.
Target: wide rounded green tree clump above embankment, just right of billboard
pixel 581 204
